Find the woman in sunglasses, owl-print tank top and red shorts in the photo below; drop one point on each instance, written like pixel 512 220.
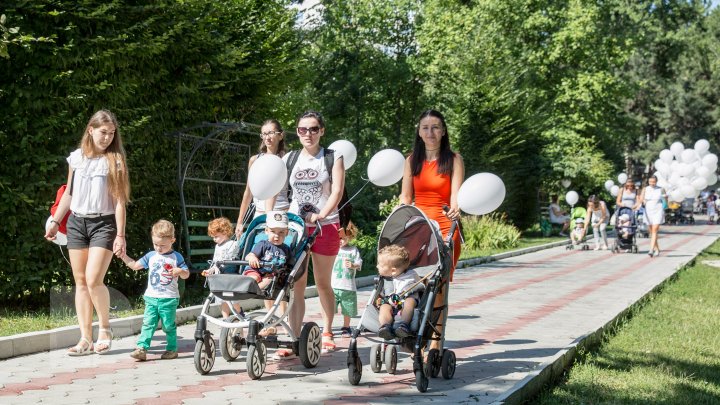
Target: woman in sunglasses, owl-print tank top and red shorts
pixel 315 196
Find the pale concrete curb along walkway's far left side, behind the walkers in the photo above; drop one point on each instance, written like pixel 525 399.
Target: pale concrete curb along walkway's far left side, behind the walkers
pixel 34 342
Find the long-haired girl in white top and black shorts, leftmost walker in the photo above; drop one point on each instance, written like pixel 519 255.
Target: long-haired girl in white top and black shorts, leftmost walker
pixel 97 193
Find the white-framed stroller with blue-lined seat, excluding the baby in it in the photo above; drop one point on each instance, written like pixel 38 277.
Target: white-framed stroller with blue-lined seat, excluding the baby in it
pixel 237 287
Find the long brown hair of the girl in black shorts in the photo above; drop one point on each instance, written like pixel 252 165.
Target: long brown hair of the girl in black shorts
pixel 118 179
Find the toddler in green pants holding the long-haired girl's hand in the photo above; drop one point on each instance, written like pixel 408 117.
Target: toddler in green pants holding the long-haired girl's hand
pixel 162 295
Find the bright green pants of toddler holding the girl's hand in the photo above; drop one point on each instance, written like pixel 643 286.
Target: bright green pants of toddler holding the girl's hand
pixel 155 309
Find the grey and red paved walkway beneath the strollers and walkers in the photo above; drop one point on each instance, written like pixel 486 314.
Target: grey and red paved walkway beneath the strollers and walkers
pixel 510 321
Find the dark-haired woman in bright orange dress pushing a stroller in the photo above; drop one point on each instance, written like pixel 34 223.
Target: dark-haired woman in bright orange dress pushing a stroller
pixel 431 179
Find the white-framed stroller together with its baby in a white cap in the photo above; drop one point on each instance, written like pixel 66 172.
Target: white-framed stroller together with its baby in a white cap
pixel 274 267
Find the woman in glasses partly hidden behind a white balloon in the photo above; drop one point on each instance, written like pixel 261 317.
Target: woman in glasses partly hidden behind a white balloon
pixel 272 142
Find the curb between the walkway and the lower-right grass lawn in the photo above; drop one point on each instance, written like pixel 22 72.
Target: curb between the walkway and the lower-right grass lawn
pixel 553 369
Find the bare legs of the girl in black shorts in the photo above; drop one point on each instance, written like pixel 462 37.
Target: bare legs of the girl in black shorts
pixel 89 268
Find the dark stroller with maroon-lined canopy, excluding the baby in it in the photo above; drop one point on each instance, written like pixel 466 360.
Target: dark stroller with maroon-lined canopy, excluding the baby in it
pixel 431 258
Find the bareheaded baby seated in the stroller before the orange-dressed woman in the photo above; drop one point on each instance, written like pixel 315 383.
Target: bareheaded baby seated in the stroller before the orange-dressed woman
pixel 393 262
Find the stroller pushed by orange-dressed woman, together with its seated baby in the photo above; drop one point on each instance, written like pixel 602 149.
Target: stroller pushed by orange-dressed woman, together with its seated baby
pixel 430 257
